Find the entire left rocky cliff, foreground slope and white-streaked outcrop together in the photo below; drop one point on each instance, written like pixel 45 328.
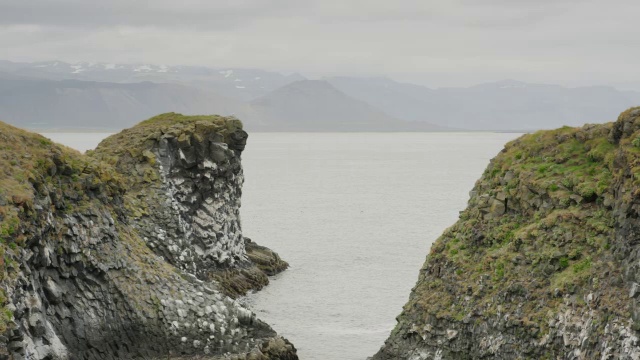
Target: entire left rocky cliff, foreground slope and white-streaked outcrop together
pixel 96 267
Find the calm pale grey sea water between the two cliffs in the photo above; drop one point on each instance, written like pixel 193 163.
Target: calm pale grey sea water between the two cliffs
pixel 354 215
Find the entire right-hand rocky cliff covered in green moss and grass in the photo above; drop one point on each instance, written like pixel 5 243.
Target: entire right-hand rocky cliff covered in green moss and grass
pixel 544 262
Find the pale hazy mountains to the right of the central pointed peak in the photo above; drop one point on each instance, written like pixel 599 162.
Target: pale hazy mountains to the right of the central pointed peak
pixel 503 105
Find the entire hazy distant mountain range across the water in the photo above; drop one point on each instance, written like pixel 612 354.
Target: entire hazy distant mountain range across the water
pixel 58 95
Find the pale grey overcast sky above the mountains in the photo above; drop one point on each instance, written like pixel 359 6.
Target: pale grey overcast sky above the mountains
pixel 437 43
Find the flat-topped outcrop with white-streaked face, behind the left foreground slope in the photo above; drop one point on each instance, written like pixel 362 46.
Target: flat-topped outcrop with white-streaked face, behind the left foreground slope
pixel 184 179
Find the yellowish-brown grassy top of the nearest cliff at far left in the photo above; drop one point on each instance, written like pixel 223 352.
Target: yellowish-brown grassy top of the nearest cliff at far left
pixel 31 163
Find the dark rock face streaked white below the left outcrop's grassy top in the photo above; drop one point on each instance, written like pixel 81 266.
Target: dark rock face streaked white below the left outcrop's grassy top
pixel 193 216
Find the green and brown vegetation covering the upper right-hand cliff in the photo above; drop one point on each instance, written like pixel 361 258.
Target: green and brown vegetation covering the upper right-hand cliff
pixel 536 228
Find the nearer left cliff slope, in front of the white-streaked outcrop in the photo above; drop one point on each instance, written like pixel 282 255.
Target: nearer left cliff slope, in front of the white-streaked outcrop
pixel 79 280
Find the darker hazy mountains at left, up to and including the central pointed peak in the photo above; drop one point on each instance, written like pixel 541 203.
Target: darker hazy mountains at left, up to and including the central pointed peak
pixel 74 104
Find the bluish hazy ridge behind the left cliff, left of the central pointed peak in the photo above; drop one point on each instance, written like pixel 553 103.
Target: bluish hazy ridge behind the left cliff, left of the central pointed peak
pixel 39 103
